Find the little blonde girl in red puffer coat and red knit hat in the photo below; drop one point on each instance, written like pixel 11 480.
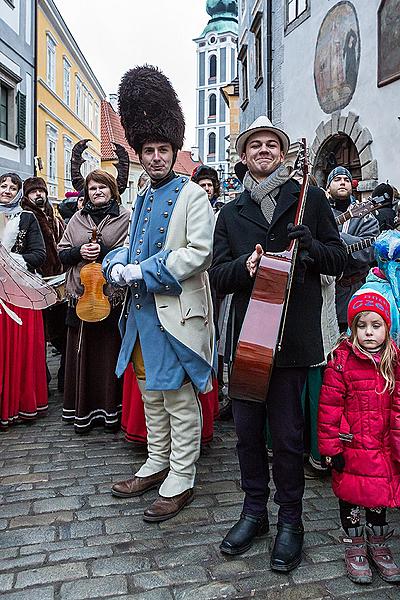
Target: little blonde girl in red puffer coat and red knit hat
pixel 359 433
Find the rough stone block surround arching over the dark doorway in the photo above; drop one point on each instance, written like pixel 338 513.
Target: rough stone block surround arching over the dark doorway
pixel 340 128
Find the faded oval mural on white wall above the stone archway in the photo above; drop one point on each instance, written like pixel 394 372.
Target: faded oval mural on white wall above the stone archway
pixel 337 57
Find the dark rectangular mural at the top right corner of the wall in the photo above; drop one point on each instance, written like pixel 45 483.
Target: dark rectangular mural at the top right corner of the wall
pixel 388 41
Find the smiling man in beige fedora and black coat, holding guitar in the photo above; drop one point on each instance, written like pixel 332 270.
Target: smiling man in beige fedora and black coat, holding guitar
pixel 261 219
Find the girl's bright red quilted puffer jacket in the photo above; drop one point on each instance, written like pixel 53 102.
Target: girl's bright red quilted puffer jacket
pixel 362 424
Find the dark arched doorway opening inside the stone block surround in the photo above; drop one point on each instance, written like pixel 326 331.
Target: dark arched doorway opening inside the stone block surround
pixel 339 149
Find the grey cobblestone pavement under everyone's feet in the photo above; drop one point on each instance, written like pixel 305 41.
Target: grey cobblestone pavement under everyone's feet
pixel 63 536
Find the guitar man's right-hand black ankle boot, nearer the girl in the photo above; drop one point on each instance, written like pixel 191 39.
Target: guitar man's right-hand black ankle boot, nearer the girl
pixel 286 554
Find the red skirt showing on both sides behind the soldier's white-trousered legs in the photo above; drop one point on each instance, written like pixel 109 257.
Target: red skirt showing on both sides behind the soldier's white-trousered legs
pixel 133 422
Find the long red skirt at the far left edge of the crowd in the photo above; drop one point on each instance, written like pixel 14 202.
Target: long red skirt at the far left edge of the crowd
pixel 23 382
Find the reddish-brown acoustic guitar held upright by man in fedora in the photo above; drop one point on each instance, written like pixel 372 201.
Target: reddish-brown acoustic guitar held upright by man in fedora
pixel 260 337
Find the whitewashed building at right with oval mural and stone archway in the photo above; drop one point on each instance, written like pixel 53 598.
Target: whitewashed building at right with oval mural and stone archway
pixel 335 80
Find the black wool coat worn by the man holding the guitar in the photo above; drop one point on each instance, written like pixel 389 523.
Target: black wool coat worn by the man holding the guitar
pixel 240 226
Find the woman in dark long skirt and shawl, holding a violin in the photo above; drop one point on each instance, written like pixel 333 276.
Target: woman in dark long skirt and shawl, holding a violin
pixel 92 392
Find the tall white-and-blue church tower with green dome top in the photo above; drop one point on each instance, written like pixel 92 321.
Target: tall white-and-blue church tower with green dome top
pixel 216 67
